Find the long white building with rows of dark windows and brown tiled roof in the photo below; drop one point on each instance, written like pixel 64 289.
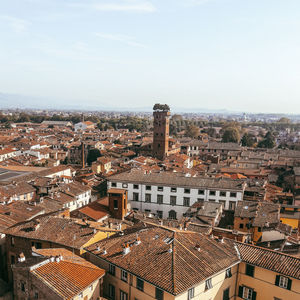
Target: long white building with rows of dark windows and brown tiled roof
pixel 170 199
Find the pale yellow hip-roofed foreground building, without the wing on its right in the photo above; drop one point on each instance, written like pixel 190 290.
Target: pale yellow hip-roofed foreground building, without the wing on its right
pixel 155 262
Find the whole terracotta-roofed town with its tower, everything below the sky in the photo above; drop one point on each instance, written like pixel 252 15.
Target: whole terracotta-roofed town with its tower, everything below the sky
pixel 143 206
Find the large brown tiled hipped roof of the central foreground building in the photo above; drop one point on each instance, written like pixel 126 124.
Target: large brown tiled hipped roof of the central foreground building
pixel 173 272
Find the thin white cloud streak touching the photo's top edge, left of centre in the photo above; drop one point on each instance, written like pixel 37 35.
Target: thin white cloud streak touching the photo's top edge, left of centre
pixel 141 6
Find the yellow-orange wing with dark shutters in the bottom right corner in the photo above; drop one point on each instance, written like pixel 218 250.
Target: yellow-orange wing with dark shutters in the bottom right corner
pixel 265 274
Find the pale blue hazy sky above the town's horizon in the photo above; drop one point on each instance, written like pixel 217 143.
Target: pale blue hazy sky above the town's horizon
pixel 239 55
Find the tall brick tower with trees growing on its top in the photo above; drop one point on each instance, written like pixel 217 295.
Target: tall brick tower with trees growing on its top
pixel 161 114
